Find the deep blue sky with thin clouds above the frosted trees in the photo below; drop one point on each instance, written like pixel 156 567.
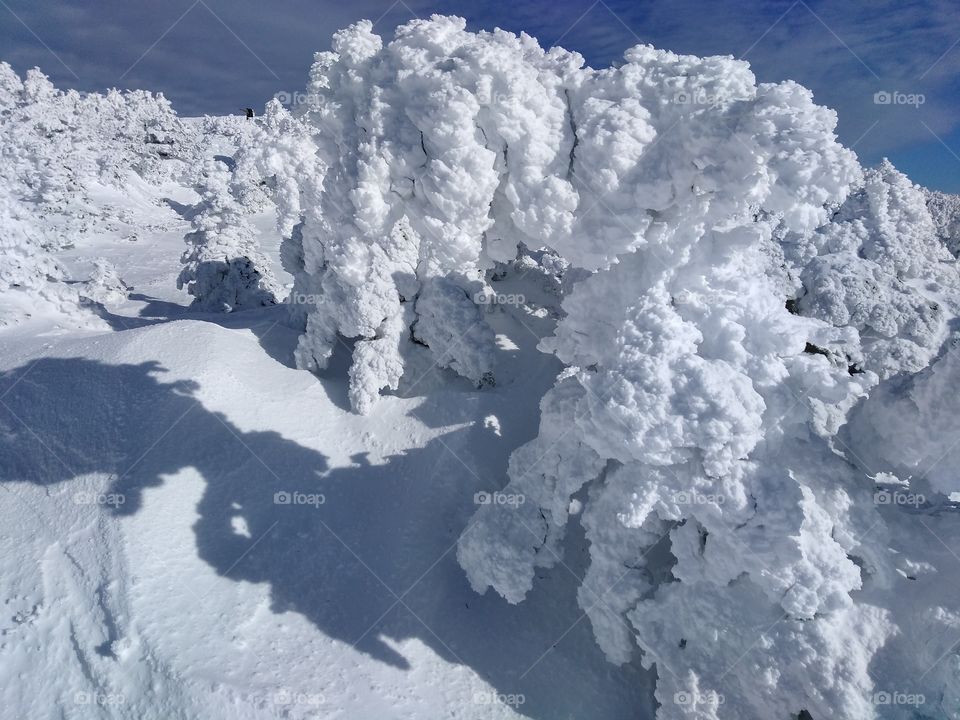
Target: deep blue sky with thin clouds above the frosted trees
pixel 216 56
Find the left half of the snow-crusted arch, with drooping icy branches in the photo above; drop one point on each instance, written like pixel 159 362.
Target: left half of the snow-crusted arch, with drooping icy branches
pixel 412 163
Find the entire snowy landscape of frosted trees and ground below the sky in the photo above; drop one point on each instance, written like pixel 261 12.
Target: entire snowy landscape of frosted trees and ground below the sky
pixel 481 384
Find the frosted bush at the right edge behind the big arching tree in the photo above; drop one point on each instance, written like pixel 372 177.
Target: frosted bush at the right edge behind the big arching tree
pixel 880 268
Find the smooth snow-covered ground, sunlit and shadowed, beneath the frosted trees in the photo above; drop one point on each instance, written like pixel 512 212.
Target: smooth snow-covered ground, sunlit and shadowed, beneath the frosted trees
pixel 196 529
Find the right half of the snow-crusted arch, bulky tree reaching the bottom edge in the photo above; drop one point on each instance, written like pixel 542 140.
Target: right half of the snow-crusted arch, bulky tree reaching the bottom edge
pixel 679 417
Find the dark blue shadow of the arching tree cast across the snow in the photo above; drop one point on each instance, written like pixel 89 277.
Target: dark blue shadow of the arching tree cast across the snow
pixel 375 561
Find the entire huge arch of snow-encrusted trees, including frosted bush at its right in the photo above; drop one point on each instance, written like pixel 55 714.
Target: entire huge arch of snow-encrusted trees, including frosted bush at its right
pixel 719 245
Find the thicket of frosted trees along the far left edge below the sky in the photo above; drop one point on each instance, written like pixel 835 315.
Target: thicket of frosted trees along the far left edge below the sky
pixel 57 147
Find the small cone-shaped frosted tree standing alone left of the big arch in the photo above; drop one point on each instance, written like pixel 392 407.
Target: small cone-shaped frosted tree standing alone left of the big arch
pixel 223 268
